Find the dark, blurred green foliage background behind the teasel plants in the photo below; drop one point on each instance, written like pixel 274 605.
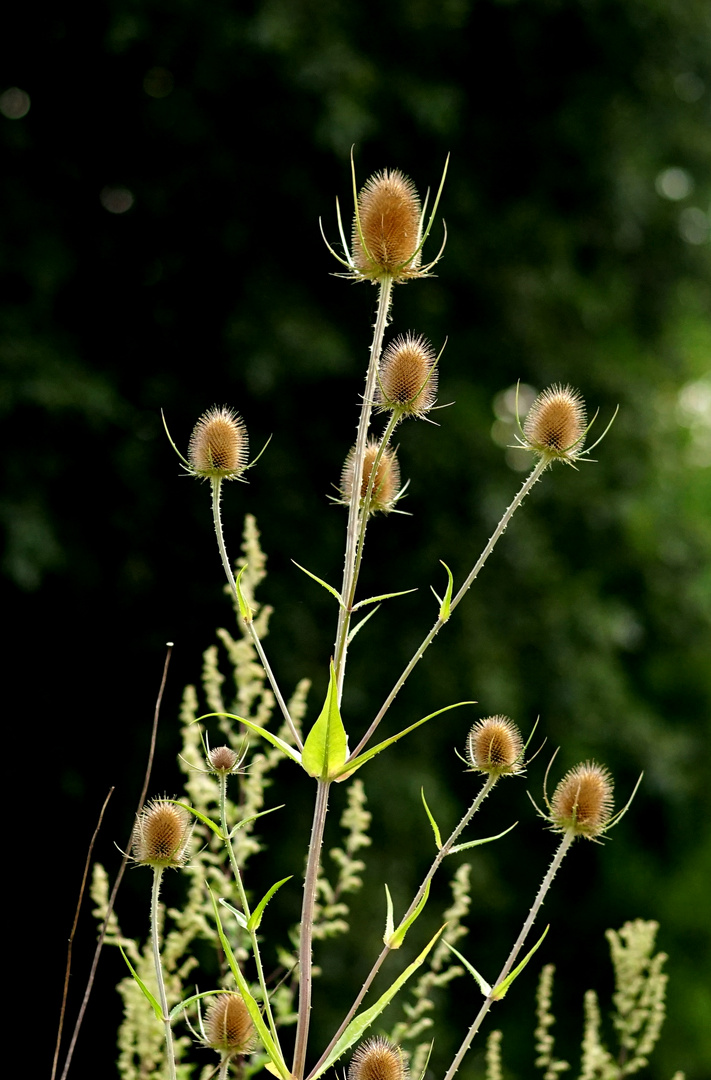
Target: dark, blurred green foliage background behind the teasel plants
pixel 578 208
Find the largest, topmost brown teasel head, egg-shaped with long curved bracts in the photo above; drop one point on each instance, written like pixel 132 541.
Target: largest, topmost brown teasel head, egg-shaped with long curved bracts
pixel 390 215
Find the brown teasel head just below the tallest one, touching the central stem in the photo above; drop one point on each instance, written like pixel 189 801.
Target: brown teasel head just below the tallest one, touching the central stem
pixel 408 376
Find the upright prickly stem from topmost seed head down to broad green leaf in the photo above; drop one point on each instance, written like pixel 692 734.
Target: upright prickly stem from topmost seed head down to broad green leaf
pixel 356 529
